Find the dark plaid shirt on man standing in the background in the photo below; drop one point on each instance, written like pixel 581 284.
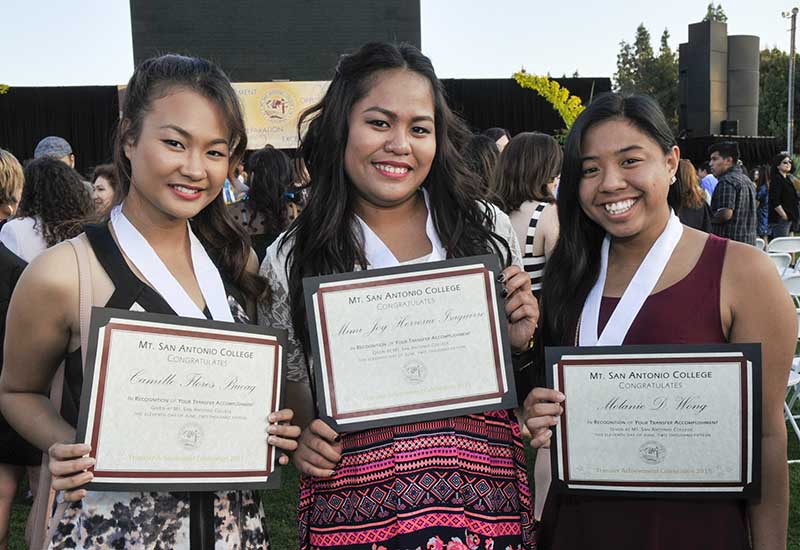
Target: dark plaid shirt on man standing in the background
pixel 735 191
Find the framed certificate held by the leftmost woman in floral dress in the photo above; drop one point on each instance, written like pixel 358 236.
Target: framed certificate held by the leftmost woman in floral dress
pixel 177 404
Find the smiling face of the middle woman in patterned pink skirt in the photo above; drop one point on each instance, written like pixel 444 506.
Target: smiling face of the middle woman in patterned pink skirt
pixel 391 141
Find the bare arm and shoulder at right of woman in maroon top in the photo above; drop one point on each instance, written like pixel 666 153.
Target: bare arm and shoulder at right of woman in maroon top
pixel 764 313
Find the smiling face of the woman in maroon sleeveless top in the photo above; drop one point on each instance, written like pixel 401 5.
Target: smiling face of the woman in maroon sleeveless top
pixel 626 179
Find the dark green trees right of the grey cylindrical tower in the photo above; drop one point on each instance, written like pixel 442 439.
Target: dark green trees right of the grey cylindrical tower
pixel 772 99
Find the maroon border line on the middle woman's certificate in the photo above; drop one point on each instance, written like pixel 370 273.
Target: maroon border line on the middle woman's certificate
pixel 389 282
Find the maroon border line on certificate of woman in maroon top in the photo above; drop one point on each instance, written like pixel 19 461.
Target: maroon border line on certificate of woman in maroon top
pixel 562 364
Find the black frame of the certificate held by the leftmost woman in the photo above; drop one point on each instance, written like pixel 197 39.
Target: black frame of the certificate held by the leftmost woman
pixel 100 319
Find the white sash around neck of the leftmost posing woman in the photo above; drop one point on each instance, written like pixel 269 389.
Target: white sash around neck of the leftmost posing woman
pixel 142 255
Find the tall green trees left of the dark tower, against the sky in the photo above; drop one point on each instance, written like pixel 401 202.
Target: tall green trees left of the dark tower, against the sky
pixel 641 71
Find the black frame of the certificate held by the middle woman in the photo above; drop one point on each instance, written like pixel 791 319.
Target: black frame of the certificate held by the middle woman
pixel 490 263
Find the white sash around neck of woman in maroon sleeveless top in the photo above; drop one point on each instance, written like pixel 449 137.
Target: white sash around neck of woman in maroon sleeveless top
pixel 634 296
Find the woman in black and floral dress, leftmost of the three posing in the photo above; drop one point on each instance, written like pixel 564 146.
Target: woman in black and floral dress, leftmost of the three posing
pixel 169 248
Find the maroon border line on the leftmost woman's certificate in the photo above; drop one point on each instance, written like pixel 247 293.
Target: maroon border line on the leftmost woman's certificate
pixel 174 474
